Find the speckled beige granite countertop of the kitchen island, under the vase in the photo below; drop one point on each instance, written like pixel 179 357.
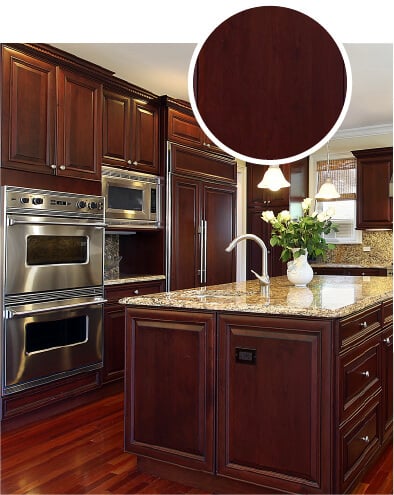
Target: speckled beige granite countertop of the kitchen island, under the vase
pixel 326 296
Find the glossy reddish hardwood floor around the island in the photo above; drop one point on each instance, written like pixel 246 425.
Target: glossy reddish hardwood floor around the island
pixel 81 451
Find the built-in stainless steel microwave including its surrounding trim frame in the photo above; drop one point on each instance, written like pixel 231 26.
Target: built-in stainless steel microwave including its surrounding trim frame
pixel 132 199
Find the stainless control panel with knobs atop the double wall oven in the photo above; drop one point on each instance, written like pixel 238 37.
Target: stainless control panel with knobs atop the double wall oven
pixel 53 201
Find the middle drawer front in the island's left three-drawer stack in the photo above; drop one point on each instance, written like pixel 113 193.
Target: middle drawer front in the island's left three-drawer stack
pixel 359 377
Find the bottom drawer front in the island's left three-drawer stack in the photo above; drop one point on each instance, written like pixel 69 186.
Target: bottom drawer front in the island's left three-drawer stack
pixel 358 443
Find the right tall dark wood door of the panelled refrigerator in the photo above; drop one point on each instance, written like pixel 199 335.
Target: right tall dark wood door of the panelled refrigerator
pixel 219 215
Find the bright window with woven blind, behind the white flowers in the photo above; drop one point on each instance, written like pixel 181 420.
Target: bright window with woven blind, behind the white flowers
pixel 343 174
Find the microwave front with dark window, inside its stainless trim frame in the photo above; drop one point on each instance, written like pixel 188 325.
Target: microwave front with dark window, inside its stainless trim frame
pixel 128 199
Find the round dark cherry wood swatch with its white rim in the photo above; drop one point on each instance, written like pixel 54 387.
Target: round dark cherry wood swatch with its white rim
pixel 269 84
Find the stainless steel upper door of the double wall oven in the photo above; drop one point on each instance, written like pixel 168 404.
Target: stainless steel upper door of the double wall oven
pixel 49 253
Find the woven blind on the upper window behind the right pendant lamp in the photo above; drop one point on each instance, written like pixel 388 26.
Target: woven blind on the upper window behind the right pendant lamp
pixel 342 172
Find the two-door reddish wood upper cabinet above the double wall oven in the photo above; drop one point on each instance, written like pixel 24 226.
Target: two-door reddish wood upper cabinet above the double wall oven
pixel 51 118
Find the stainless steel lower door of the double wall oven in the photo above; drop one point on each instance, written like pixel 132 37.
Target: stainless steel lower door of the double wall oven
pixel 48 341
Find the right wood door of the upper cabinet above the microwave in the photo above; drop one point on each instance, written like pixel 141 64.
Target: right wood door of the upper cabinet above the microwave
pixel 145 137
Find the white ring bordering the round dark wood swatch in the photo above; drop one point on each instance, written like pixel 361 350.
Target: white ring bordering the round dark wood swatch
pixel 309 151
